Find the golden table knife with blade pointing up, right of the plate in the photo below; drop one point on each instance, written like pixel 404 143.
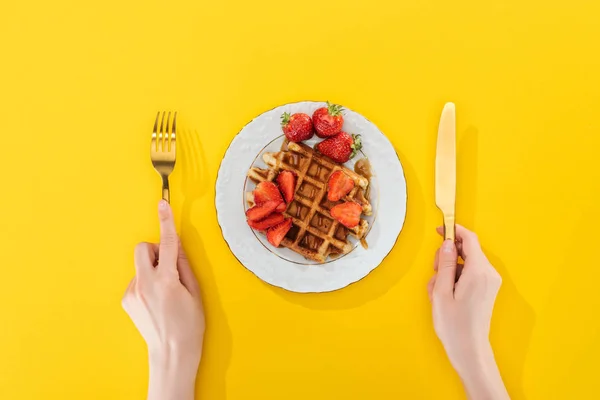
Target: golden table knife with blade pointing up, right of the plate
pixel 445 169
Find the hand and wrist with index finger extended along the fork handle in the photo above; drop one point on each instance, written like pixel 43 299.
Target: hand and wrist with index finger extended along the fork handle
pixel 164 302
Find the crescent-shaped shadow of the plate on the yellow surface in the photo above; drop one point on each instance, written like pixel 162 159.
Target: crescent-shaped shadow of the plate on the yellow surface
pixel 393 268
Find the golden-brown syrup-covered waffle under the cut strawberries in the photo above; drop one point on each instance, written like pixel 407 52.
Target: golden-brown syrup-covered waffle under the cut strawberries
pixel 314 233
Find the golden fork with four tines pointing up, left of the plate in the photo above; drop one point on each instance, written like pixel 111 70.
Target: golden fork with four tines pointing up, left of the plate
pixel 162 149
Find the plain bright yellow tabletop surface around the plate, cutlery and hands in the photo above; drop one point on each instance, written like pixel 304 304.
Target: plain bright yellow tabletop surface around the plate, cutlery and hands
pixel 81 82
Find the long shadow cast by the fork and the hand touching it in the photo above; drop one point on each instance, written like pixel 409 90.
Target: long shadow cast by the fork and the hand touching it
pixel 217 348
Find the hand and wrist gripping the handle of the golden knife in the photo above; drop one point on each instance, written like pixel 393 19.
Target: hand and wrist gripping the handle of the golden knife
pixel 463 299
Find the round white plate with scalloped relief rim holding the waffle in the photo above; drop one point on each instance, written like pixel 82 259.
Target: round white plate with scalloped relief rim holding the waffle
pixel 282 267
